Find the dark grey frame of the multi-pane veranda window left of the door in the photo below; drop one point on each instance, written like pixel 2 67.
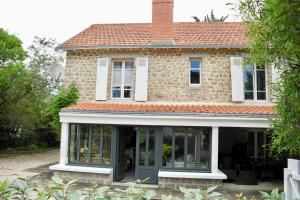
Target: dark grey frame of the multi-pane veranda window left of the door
pixel 101 142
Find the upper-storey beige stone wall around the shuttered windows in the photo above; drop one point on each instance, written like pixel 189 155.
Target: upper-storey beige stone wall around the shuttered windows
pixel 168 73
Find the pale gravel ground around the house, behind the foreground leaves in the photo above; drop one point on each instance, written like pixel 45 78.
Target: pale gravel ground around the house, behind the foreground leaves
pixel 36 166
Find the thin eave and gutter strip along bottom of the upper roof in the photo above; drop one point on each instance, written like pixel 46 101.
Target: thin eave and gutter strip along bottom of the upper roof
pixel 204 46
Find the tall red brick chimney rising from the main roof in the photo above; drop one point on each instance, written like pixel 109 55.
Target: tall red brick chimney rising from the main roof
pixel 162 22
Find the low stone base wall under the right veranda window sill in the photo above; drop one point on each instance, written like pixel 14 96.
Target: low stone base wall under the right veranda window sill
pixel 175 183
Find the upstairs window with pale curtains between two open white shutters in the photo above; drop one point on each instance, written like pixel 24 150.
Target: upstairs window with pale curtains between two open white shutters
pixel 122 76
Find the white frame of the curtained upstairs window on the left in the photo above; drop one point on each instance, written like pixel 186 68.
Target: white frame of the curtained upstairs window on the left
pixel 122 79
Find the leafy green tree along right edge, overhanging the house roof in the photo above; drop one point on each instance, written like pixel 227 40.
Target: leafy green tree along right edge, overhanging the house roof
pixel 274 29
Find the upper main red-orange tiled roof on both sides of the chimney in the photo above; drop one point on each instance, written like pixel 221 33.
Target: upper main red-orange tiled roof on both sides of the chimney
pixel 139 34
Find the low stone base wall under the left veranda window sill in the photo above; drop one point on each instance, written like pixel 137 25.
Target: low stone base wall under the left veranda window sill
pixel 82 177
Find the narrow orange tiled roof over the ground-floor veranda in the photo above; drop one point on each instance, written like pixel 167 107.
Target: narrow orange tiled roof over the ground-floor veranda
pixel 144 108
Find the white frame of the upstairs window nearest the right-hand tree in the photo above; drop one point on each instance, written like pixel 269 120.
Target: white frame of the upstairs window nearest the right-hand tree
pixel 255 86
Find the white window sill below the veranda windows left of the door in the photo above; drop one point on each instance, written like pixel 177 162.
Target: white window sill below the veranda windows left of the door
pixel 96 170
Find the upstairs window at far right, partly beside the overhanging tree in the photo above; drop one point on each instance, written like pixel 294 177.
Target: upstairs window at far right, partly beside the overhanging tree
pixel 255 83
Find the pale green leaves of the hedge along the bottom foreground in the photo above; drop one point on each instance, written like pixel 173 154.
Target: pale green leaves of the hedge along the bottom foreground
pixel 61 190
